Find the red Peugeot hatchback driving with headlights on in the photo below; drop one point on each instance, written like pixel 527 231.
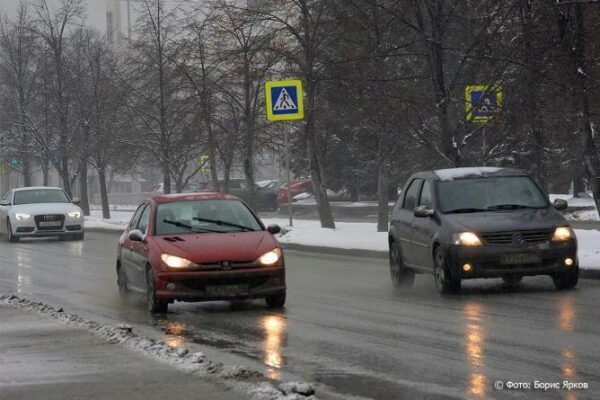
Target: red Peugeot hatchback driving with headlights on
pixel 200 247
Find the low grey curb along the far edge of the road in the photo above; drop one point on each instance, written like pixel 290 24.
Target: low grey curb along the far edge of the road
pixel 584 273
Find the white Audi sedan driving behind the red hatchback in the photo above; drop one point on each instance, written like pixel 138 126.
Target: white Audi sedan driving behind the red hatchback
pixel 40 211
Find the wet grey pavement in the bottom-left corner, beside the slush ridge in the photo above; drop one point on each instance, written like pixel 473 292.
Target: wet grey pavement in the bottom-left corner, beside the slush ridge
pixel 41 358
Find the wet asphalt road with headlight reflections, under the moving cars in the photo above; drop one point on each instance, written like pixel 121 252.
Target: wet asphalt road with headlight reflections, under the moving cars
pixel 345 325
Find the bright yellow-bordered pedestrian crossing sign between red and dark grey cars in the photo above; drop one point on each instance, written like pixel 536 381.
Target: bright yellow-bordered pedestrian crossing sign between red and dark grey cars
pixel 284 100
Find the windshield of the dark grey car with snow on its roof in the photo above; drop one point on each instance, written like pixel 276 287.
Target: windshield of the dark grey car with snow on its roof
pixel 490 194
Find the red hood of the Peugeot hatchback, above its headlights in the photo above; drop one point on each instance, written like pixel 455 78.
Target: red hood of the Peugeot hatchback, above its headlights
pixel 212 247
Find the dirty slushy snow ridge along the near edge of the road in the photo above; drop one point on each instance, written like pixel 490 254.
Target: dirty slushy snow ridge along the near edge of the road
pixel 236 377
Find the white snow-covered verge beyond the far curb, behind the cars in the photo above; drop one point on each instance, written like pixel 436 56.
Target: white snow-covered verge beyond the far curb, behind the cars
pixel 348 235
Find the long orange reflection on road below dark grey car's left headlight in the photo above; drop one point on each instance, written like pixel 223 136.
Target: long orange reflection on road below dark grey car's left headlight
pixel 474 348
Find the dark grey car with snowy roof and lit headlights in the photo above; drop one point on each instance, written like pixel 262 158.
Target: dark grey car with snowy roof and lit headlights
pixel 467 223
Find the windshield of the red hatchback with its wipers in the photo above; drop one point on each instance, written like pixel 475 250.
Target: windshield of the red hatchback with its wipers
pixel 204 216
